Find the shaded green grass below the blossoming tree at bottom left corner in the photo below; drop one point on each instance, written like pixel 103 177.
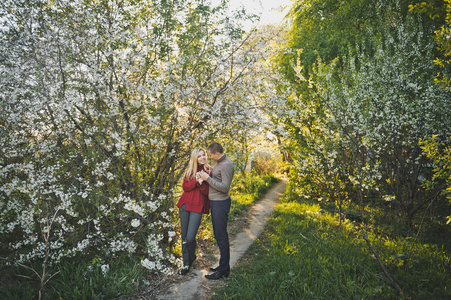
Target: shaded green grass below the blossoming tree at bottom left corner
pixel 80 278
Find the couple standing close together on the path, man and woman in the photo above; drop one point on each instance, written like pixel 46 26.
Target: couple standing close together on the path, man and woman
pixel 204 189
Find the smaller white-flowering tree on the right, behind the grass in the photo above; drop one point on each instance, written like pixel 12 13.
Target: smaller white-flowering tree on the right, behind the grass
pixel 383 105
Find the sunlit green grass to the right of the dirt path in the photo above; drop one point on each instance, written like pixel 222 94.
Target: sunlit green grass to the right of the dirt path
pixel 302 254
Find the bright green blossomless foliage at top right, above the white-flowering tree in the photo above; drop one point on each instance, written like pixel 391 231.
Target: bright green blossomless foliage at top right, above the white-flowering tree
pixel 327 28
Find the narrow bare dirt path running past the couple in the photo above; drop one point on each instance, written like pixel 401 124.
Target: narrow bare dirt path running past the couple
pixel 196 286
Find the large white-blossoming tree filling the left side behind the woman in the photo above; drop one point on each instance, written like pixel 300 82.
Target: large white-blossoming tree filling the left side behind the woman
pixel 101 103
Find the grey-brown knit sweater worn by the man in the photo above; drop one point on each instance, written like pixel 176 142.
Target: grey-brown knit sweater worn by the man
pixel 220 179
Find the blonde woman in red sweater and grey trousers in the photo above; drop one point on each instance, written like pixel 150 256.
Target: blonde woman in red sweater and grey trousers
pixel 192 203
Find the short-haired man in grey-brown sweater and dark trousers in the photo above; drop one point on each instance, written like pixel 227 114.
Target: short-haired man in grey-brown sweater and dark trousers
pixel 220 180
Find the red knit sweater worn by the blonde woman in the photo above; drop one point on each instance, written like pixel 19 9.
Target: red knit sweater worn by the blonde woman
pixel 195 196
